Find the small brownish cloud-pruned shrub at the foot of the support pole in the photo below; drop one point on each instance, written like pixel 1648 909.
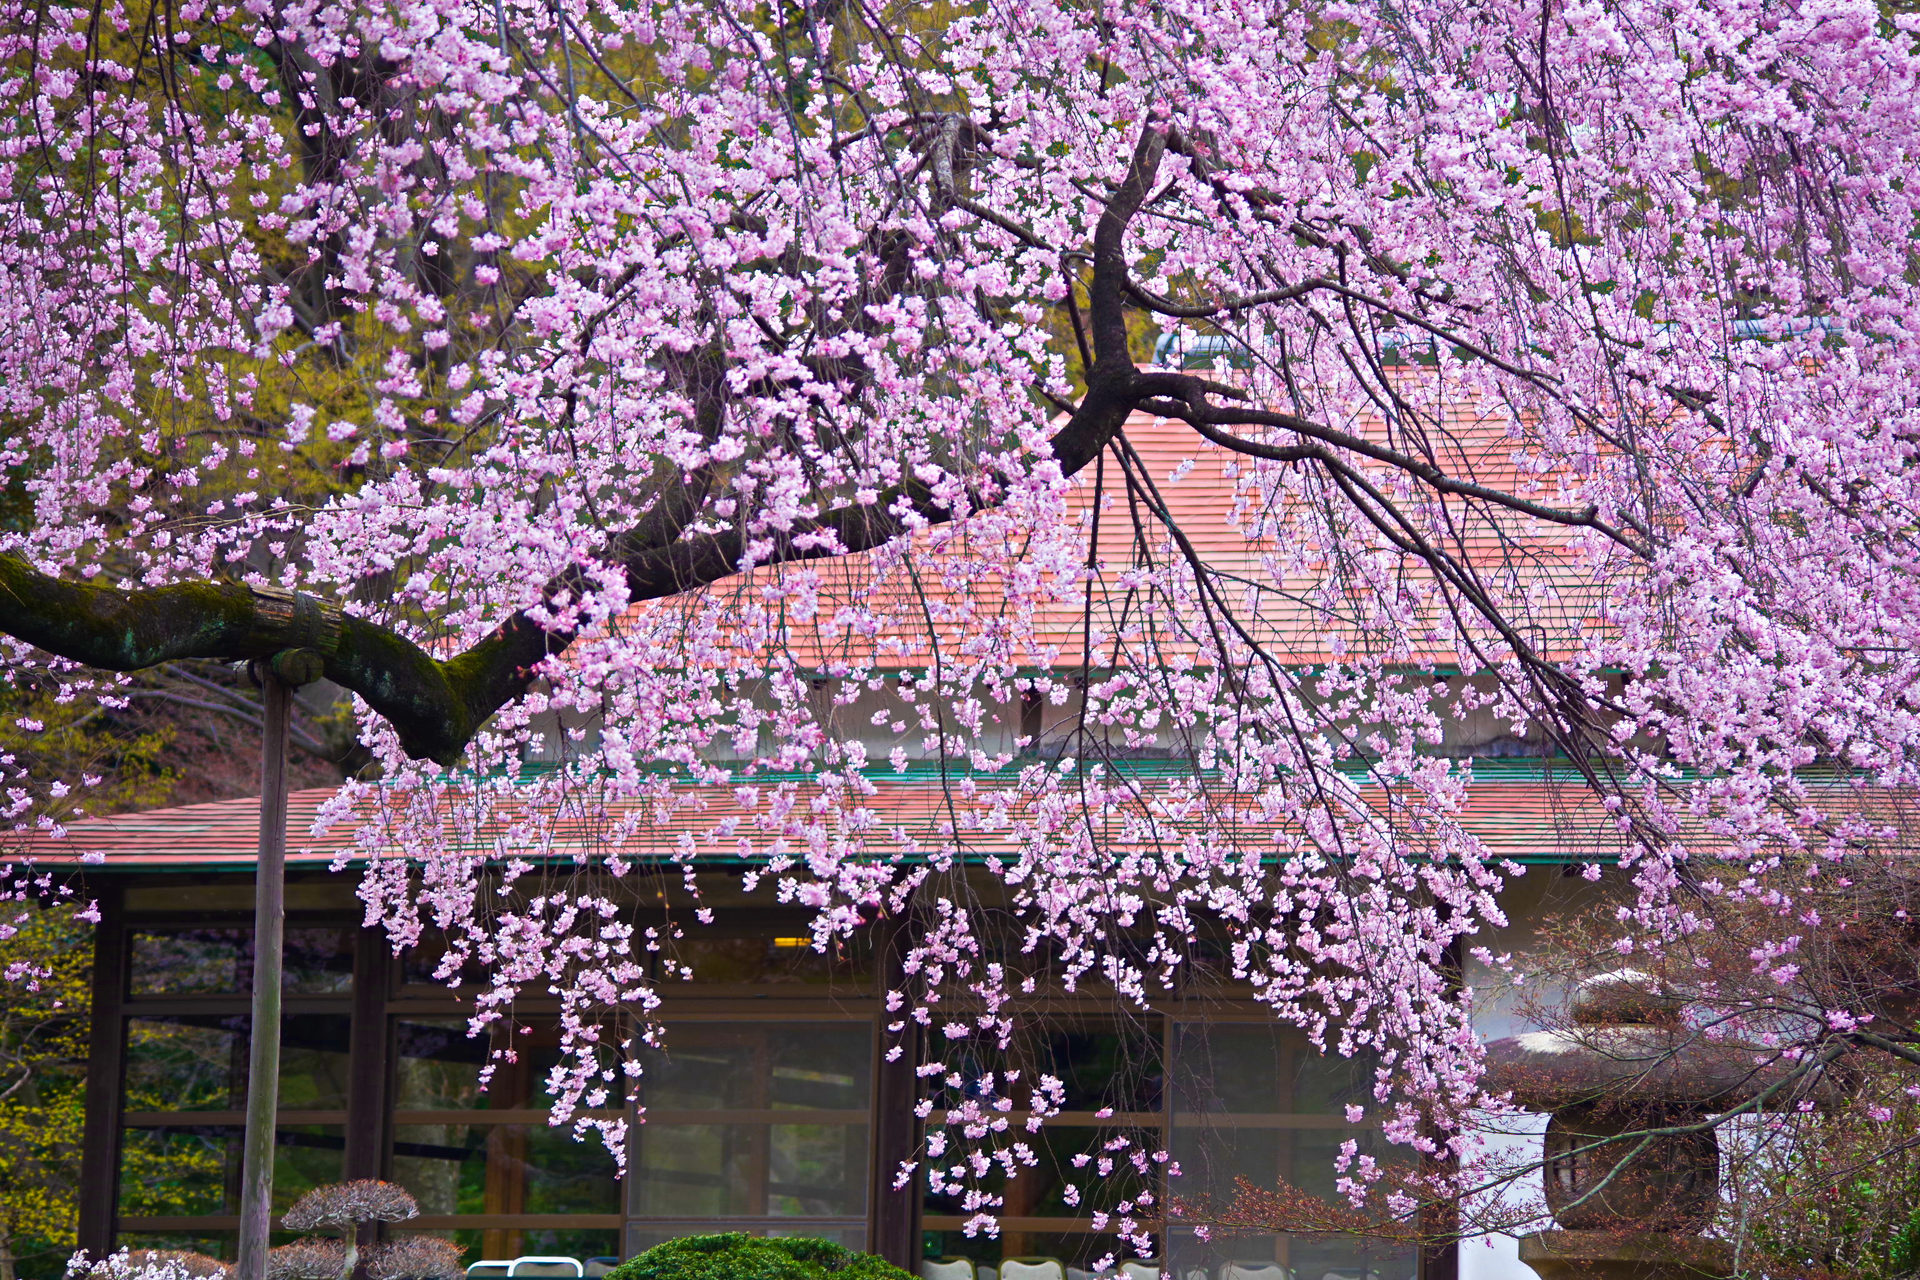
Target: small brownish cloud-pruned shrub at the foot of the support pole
pixel 345 1208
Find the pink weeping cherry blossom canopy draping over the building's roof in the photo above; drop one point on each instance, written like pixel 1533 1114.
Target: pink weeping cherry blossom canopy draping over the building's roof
pixel 606 375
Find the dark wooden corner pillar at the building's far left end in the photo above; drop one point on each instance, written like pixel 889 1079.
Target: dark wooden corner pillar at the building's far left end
pixel 107 1072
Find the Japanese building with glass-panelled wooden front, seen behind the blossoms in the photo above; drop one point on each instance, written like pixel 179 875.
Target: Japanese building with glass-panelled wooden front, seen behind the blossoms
pixel 773 1106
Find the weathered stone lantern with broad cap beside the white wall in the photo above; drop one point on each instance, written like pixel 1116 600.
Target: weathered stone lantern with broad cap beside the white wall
pixel 1629 1210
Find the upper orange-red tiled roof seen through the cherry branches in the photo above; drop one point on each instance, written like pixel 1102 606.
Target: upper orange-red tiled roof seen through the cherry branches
pixel 1232 527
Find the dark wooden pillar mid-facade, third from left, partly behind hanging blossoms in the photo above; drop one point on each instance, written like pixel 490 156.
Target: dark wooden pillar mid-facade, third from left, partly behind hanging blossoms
pixel 894 1216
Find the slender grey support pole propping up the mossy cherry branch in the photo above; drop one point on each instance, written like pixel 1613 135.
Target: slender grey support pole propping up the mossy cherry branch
pixel 270 922
